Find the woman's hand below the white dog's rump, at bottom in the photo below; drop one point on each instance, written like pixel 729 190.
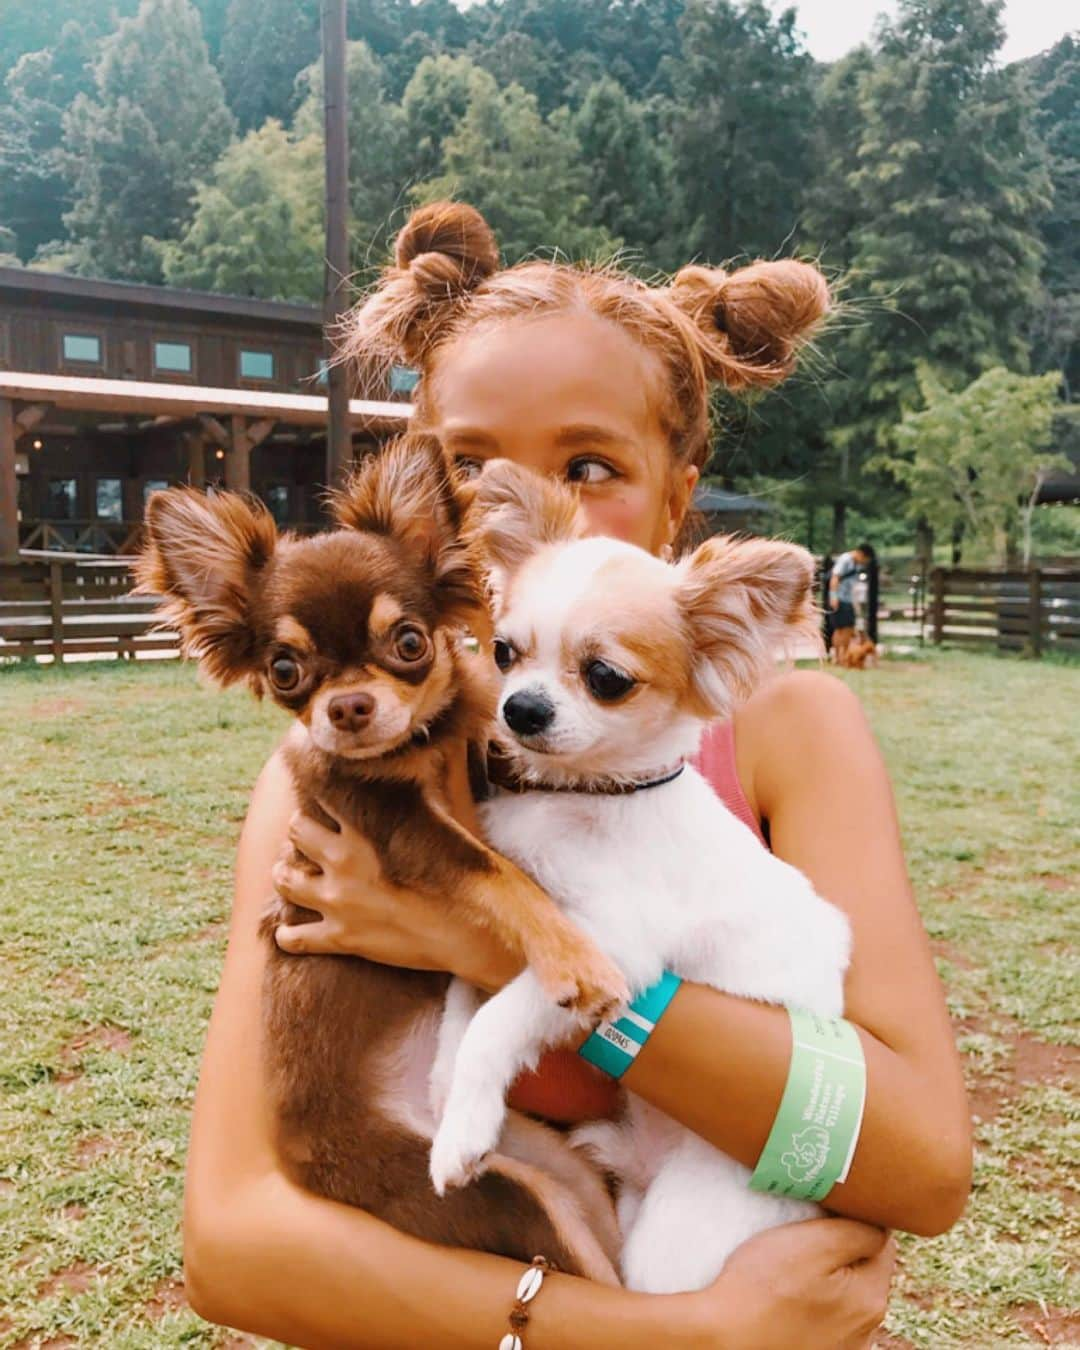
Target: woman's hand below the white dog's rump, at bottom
pixel 819 1286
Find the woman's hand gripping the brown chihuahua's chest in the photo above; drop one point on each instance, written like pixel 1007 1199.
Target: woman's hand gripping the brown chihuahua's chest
pixel 365 915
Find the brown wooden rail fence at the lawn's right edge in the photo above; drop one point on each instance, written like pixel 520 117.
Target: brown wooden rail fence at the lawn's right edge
pixel 1036 612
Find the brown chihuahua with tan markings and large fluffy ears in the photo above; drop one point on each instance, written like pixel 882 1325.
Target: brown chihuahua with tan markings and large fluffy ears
pixel 360 634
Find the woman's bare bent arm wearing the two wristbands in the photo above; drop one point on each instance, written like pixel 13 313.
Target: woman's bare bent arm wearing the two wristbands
pixel 811 767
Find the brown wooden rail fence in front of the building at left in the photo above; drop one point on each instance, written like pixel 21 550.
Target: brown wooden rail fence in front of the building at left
pixel 61 605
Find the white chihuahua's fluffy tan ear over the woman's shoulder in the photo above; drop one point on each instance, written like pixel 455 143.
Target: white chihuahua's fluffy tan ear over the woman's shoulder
pixel 746 603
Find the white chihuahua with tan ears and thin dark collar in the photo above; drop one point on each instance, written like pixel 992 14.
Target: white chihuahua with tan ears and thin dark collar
pixel 615 662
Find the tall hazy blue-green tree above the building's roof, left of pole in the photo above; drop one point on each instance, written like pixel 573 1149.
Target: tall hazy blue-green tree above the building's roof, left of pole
pixel 136 149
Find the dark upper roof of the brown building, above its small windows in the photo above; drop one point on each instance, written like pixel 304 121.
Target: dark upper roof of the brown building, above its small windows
pixel 59 288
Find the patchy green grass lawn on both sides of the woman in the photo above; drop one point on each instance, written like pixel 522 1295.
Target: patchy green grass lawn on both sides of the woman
pixel 122 792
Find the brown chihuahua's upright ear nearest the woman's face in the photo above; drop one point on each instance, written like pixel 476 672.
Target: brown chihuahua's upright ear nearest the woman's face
pixel 408 493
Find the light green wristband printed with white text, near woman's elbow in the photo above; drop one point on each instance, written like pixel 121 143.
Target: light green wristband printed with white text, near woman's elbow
pixel 813 1139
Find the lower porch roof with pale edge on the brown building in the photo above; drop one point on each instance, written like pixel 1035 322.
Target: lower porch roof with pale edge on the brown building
pixel 130 396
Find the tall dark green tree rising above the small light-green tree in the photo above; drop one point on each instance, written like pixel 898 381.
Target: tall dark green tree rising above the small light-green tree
pixel 951 186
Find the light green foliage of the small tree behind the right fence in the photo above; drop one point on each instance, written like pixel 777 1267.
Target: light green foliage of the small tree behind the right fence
pixel 975 461
